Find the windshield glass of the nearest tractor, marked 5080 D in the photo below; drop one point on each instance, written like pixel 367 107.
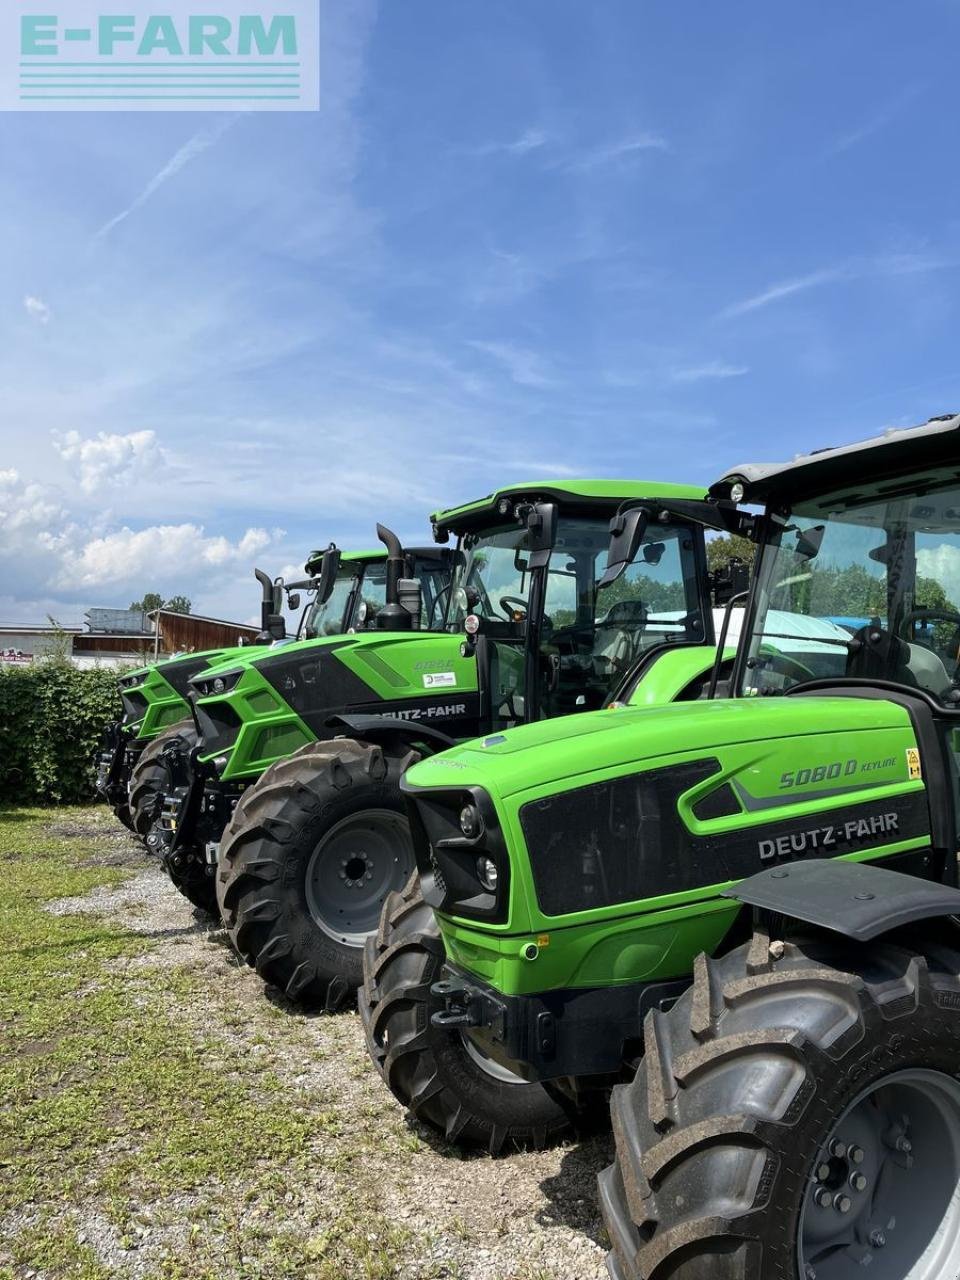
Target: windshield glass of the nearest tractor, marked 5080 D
pixel 861 589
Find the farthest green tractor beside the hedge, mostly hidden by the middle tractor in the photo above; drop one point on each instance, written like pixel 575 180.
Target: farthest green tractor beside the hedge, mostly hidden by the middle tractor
pixel 156 708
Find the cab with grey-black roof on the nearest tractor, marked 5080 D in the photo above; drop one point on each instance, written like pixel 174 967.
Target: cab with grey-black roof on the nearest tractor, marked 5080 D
pixel 871 552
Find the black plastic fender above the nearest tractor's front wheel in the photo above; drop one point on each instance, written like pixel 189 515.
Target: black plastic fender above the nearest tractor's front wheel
pixel 858 900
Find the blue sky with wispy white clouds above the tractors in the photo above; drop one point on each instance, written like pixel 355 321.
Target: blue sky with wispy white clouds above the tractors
pixel 520 240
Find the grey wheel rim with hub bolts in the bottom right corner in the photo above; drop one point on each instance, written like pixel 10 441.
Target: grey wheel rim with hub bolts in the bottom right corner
pixel 884 1191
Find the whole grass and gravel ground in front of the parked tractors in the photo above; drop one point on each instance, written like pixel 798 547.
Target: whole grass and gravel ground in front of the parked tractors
pixel 162 1121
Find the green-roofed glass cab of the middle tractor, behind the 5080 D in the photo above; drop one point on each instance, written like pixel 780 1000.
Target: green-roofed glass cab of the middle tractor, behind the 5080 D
pixel 561 592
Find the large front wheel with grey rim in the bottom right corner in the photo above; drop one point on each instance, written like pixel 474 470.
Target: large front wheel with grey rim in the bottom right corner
pixel 756 1085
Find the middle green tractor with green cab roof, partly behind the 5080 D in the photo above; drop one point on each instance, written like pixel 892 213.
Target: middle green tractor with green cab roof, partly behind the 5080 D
pixel 314 849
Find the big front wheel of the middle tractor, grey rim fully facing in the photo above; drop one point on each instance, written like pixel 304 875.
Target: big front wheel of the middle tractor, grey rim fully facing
pixel 309 858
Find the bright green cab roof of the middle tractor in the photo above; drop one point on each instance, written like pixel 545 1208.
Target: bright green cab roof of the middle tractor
pixel 600 497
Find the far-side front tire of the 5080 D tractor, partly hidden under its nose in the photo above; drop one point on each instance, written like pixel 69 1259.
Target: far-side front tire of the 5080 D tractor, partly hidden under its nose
pixel 431 1072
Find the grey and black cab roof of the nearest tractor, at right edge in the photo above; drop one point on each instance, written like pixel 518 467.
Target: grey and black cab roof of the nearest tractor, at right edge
pixel 881 465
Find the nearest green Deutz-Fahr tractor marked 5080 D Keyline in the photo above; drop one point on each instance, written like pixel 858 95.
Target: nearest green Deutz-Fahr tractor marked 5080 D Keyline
pixel 740 912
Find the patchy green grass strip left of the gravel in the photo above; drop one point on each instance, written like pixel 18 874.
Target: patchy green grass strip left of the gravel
pixel 117 1114
